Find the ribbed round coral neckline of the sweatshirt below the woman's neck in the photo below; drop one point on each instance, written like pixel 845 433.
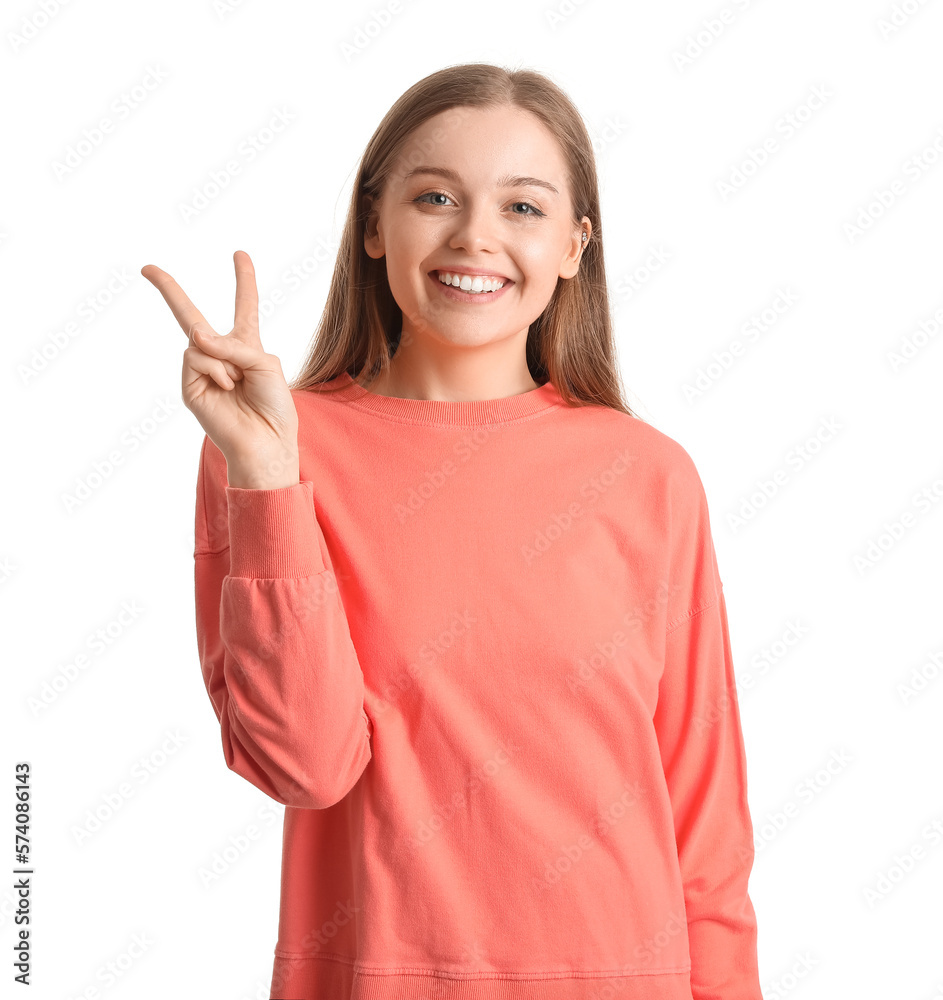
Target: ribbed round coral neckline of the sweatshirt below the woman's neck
pixel 449 412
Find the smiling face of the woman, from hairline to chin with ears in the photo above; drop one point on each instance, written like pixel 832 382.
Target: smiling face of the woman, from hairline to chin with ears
pixel 476 191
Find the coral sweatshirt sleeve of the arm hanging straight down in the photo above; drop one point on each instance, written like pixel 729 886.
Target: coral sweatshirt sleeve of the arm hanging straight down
pixel 697 722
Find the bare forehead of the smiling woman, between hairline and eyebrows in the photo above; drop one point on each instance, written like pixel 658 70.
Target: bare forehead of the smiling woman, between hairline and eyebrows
pixel 483 144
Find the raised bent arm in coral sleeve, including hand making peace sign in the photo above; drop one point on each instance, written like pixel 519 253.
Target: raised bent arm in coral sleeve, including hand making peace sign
pixel 274 643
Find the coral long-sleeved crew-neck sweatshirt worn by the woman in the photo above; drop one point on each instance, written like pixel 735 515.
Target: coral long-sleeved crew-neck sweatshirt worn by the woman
pixel 480 654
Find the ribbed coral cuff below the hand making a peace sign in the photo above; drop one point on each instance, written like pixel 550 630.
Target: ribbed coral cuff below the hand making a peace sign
pixel 273 533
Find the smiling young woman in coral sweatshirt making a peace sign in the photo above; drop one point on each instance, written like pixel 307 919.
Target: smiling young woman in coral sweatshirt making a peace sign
pixel 458 607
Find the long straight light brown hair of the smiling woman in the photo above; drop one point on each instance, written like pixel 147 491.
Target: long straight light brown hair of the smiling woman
pixel 570 343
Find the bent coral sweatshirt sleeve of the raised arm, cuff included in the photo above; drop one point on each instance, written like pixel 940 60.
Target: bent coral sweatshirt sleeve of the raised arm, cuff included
pixel 274 644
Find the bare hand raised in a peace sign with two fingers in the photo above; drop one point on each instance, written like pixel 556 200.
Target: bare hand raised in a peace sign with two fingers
pixel 236 390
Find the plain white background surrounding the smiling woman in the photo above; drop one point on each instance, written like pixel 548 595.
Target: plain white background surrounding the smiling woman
pixel 668 134
